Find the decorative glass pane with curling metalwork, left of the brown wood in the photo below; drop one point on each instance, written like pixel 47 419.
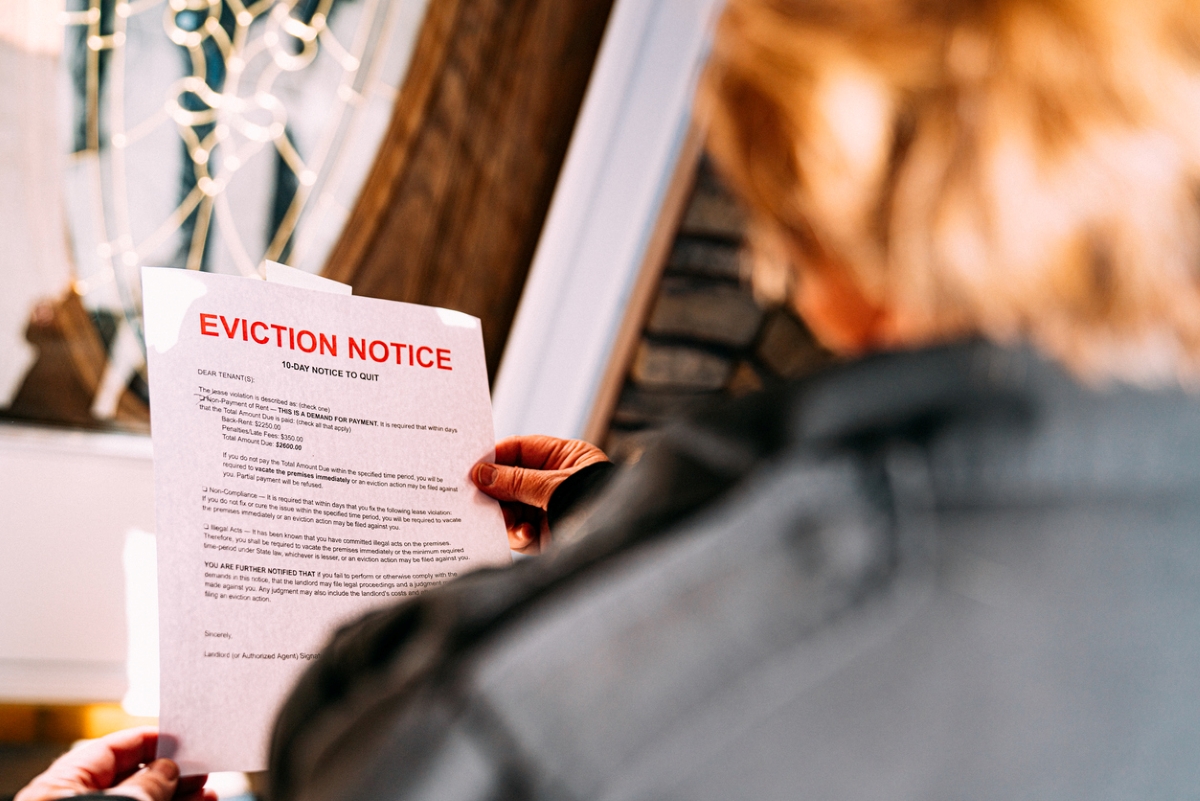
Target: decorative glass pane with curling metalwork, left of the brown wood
pixel 203 135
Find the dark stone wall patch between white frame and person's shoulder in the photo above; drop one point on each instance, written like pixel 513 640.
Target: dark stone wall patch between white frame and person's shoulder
pixel 705 336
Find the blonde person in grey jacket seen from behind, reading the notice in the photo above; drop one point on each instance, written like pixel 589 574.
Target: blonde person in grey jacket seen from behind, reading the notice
pixel 963 564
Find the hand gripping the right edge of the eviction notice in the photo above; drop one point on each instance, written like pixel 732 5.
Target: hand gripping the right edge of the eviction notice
pixel 526 474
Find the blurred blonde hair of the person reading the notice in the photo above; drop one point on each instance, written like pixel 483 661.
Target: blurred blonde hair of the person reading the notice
pixel 1013 168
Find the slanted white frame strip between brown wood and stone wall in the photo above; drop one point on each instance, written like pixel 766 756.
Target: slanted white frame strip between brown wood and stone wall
pixel 631 134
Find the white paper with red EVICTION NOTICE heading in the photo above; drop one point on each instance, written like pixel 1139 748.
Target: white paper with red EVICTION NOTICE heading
pixel 313 455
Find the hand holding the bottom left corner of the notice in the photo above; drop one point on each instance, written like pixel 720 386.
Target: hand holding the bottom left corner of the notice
pixel 115 764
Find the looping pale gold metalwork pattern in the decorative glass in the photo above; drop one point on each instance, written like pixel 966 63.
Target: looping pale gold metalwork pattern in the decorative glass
pixel 221 128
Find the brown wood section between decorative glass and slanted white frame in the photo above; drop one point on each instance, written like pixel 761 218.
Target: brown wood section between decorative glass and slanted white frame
pixel 453 208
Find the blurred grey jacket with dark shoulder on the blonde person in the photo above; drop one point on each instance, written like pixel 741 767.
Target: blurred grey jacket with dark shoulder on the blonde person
pixel 953 574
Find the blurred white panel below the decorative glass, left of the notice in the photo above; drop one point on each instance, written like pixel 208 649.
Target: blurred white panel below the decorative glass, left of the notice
pixel 67 502
